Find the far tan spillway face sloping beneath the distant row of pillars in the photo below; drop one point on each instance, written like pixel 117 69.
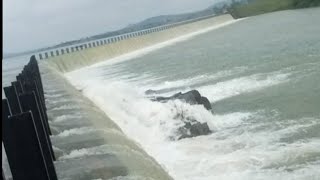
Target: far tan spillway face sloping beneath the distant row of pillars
pixel 88 56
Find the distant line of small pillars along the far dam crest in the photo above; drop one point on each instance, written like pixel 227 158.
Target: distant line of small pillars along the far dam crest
pixel 108 40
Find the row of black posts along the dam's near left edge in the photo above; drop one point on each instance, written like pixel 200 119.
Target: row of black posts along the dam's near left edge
pixel 25 127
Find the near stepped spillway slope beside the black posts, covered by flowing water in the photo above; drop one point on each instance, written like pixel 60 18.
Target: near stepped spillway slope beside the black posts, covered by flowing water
pixel 88 145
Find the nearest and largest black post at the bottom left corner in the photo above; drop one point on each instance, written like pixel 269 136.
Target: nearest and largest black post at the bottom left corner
pixel 21 143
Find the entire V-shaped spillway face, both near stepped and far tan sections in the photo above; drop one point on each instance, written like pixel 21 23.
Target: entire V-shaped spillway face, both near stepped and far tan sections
pixel 86 143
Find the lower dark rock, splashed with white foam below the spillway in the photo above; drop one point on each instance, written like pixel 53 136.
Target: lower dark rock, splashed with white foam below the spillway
pixel 193 130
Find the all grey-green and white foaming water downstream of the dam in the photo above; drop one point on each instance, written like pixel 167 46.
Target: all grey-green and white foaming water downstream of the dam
pixel 262 78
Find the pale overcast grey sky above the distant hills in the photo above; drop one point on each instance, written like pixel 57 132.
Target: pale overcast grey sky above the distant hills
pixel 31 24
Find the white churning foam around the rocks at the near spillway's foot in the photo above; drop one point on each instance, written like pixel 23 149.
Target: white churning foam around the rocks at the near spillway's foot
pixel 235 150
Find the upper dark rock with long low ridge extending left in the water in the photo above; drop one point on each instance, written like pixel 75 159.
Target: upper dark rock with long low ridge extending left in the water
pixel 191 97
